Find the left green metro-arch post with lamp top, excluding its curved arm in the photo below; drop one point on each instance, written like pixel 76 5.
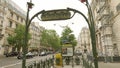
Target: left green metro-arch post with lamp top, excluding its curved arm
pixel 25 46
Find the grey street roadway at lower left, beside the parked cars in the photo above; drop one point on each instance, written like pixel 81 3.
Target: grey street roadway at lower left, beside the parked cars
pixel 13 62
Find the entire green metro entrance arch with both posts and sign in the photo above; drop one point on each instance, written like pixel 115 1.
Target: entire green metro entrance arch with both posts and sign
pixel 63 14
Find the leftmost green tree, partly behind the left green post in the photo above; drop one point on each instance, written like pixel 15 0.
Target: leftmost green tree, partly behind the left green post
pixel 17 39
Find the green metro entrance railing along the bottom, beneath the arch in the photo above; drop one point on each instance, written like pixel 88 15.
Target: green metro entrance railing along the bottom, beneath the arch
pixel 51 63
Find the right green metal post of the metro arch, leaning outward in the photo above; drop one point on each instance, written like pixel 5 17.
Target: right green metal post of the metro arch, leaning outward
pixel 91 25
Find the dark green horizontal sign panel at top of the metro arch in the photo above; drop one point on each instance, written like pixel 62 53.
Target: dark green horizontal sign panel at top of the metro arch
pixel 61 14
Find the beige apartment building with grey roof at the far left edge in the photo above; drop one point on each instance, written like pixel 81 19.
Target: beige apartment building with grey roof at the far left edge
pixel 11 15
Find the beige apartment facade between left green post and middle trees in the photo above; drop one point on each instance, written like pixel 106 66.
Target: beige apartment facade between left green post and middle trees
pixel 35 31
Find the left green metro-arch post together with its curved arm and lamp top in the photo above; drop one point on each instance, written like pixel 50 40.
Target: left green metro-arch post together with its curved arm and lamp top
pixel 27 24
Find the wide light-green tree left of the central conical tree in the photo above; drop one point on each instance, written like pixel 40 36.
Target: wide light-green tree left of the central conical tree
pixel 50 38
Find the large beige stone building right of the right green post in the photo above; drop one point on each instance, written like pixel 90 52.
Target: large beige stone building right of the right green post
pixel 107 20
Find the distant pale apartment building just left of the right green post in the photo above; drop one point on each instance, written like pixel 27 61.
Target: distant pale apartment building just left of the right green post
pixel 85 41
